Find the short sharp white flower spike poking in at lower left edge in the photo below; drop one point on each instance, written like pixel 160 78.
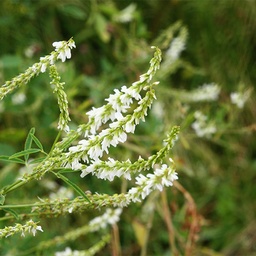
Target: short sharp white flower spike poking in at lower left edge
pixel 29 227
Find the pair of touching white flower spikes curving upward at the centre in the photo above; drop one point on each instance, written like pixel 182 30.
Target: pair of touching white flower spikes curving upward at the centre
pixel 92 147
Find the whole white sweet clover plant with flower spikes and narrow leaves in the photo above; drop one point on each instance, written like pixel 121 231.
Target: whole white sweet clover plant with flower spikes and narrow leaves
pixel 87 150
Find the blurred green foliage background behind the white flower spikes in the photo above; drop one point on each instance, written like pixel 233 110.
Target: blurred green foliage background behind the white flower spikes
pixel 213 210
